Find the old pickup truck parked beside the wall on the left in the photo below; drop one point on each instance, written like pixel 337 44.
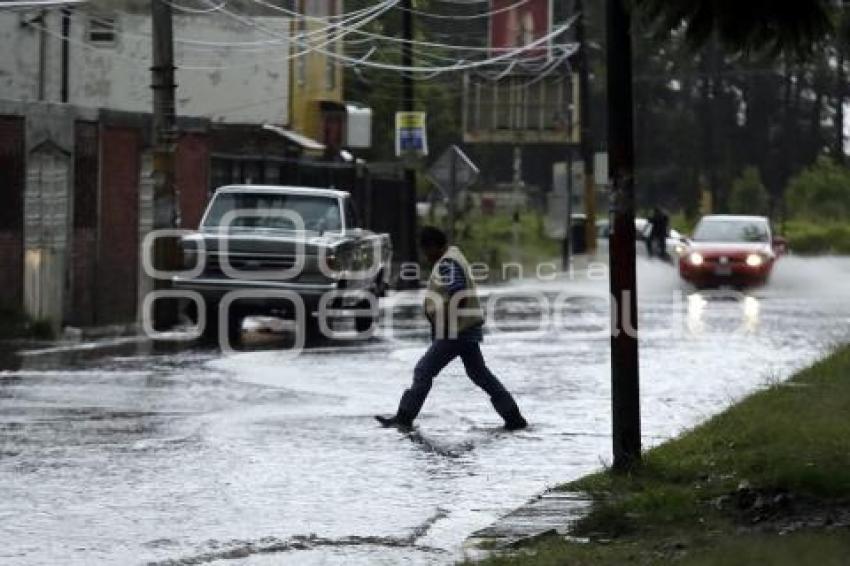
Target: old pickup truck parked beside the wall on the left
pixel 282 245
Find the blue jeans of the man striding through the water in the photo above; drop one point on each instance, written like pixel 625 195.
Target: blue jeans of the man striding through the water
pixel 435 359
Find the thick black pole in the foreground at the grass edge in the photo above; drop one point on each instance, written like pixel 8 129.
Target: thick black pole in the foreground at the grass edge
pixel 625 388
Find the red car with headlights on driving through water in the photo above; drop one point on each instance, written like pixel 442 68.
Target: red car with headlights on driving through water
pixel 738 251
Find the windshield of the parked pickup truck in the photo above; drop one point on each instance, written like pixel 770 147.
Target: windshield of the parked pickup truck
pixel 319 213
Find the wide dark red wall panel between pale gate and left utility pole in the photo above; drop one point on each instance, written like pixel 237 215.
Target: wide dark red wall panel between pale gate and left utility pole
pixel 118 242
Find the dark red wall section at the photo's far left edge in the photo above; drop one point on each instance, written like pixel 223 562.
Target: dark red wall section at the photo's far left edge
pixel 11 212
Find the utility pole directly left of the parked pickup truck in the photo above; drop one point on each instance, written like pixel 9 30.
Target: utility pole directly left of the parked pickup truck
pixel 165 204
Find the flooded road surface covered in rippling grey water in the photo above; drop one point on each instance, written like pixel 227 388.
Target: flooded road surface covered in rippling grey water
pixel 123 456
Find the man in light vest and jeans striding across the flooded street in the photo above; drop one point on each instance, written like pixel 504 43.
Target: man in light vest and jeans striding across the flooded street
pixel 457 319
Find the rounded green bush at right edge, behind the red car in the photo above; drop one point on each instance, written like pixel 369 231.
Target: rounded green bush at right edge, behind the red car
pixel 820 192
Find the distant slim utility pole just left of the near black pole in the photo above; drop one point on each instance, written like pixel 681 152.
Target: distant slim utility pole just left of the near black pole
pixel 586 141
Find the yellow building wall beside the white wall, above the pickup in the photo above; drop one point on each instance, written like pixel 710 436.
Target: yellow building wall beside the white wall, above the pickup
pixel 310 82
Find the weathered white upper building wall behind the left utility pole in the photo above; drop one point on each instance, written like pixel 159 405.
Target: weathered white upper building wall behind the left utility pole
pixel 253 86
